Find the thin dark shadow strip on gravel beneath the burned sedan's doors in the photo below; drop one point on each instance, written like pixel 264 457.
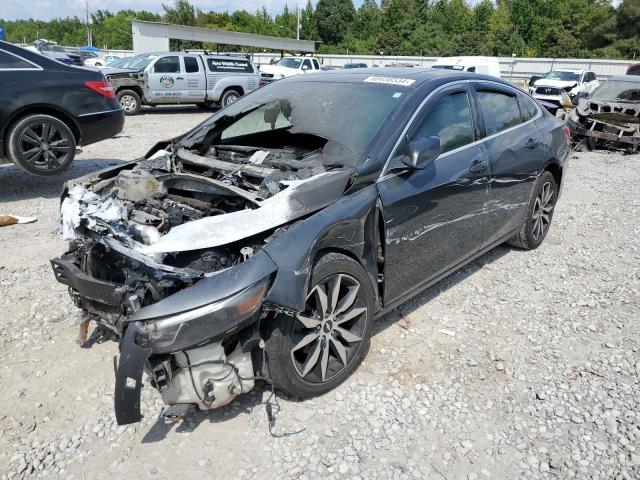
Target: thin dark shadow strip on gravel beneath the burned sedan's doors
pixel 443 285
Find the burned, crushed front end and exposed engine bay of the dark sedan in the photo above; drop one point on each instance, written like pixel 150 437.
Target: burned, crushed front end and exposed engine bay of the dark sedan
pixel 150 239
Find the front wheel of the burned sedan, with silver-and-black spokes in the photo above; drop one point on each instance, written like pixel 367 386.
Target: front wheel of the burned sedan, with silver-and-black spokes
pixel 287 353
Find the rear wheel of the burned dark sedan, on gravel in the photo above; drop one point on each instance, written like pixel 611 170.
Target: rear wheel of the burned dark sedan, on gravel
pixel 540 208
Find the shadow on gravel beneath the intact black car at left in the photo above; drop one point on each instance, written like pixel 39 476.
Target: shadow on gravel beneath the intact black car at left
pixel 16 184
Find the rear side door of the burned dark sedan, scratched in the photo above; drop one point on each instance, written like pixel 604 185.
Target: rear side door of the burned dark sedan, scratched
pixel 515 149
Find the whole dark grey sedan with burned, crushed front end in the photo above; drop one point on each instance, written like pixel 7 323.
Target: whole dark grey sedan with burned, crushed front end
pixel 265 242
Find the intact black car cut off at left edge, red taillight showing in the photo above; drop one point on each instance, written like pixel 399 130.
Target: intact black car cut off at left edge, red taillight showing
pixel 47 109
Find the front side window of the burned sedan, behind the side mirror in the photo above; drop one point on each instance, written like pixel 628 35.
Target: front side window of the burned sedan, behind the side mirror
pixel 450 121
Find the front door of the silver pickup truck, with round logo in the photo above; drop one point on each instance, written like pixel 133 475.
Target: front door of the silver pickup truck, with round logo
pixel 167 83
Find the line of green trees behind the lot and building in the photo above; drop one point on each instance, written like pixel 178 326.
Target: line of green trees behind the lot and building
pixel 524 28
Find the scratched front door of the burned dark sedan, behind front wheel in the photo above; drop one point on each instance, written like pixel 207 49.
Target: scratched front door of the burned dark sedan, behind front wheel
pixel 434 217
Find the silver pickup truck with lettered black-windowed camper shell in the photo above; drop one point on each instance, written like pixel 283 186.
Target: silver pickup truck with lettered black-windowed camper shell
pixel 180 78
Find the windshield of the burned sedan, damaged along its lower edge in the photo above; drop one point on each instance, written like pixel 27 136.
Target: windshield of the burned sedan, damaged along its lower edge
pixel 346 116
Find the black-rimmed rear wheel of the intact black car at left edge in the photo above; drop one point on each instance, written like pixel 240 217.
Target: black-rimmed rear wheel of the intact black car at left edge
pixel 41 144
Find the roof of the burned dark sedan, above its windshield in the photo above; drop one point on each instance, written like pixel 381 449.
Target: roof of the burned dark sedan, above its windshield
pixel 419 75
